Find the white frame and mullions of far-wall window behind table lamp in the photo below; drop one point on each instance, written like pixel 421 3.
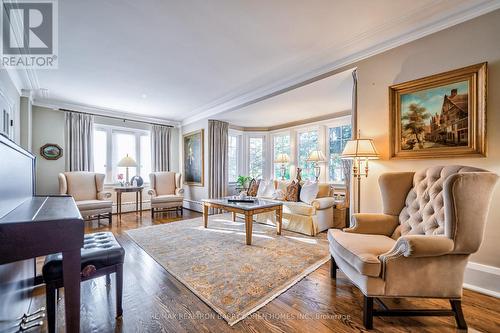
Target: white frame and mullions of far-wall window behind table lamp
pixel 110 168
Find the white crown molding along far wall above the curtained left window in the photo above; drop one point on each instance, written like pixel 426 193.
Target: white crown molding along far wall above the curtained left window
pixel 56 104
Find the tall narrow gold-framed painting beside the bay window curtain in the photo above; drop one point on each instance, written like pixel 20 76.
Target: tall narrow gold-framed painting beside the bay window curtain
pixel 193 158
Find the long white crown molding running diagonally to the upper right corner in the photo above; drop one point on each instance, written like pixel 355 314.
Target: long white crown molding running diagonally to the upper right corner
pixel 239 100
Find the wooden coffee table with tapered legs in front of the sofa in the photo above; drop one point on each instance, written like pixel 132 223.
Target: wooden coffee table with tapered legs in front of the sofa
pixel 247 209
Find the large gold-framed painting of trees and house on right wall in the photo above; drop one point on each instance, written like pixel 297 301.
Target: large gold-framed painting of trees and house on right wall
pixel 440 116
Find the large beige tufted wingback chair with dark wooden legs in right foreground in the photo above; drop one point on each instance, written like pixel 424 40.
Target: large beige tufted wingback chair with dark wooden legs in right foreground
pixel 419 246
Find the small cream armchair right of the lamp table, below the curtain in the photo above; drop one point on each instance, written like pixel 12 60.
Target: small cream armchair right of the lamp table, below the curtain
pixel 166 192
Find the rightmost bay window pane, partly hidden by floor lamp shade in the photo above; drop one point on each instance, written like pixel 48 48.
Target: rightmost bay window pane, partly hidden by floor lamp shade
pixel 337 138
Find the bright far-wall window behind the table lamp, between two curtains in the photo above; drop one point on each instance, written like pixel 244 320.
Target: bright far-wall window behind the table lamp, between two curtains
pixel 112 143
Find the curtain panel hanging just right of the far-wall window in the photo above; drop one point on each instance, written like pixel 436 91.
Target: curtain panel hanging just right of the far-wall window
pixel 160 148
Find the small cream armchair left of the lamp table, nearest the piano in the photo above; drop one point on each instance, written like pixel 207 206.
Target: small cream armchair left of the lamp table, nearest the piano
pixel 87 188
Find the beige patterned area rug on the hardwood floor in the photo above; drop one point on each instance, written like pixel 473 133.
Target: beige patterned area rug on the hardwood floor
pixel 232 278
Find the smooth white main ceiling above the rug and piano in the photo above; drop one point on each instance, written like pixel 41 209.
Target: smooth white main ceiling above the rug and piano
pixel 183 60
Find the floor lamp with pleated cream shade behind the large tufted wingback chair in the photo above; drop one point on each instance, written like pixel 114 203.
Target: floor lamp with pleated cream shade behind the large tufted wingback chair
pixel 359 151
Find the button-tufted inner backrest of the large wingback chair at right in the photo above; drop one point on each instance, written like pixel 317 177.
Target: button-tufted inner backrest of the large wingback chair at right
pixel 423 213
